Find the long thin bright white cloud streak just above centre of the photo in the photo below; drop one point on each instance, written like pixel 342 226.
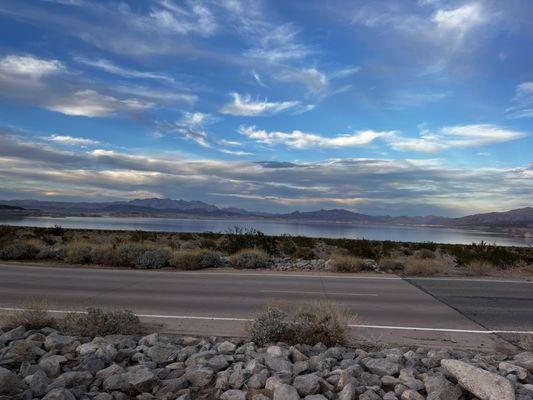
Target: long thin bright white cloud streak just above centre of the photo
pixel 301 140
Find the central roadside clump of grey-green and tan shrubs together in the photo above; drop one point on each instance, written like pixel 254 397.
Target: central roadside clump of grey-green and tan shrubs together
pixel 320 321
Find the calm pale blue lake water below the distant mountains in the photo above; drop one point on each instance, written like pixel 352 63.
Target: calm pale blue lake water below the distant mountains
pixel 329 230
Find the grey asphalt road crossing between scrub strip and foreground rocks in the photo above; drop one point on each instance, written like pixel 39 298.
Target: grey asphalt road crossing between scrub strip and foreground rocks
pixel 389 308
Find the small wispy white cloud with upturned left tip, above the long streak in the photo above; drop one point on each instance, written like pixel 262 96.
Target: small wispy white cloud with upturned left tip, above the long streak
pixel 244 106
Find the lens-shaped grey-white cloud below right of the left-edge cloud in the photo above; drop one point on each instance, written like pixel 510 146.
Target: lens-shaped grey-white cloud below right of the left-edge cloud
pixel 89 103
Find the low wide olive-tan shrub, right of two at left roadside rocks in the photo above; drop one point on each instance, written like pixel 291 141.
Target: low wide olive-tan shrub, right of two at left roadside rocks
pixel 97 322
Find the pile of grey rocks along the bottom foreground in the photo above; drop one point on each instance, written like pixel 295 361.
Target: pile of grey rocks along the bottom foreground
pixel 44 364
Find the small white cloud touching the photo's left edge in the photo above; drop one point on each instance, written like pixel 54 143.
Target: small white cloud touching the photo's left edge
pixel 29 66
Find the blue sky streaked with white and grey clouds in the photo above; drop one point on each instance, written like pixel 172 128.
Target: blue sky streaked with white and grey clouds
pixel 409 107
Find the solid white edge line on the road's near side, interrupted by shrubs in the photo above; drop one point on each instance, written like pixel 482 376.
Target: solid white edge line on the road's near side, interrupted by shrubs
pixel 193 317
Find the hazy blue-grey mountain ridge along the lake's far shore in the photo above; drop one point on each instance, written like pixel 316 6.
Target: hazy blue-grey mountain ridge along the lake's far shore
pixel 518 218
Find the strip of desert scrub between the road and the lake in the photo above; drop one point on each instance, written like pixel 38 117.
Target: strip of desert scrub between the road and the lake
pixel 251 249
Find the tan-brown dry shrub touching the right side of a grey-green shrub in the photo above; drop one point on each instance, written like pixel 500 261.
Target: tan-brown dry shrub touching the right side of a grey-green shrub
pixel 321 321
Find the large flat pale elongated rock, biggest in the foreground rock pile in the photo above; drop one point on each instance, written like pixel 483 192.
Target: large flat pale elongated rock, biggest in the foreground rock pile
pixel 483 384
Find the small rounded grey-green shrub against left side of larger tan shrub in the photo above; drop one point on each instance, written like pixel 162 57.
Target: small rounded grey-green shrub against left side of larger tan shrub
pixel 268 326
